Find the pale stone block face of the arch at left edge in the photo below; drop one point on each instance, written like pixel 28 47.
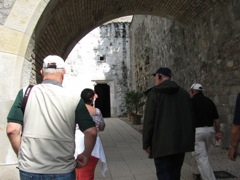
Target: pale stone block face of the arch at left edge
pixel 16 30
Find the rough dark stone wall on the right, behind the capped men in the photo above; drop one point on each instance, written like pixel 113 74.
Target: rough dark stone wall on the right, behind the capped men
pixel 207 52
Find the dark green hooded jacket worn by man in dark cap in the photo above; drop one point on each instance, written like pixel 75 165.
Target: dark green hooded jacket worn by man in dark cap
pixel 168 126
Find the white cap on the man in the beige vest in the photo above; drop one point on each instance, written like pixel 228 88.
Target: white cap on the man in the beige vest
pixel 53 61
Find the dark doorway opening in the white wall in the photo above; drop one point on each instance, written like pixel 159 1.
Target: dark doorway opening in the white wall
pixel 103 100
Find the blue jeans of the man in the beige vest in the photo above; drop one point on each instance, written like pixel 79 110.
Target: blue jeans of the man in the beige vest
pixel 32 176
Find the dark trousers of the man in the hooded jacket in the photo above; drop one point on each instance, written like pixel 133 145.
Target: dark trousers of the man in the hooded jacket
pixel 169 167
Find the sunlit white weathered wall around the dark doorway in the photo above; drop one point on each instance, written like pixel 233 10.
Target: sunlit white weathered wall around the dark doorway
pixel 85 69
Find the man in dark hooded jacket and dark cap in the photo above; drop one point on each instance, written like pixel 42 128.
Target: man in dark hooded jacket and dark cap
pixel 168 128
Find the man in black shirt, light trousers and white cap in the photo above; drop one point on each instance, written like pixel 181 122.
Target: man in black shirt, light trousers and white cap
pixel 206 122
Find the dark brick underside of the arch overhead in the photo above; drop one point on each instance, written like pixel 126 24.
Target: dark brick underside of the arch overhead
pixel 64 22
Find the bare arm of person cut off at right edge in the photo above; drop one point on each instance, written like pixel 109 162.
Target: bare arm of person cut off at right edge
pixel 235 137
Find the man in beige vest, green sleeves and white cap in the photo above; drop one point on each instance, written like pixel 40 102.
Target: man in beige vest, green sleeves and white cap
pixel 43 135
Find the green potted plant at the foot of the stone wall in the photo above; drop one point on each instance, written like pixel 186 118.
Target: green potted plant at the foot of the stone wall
pixel 134 103
